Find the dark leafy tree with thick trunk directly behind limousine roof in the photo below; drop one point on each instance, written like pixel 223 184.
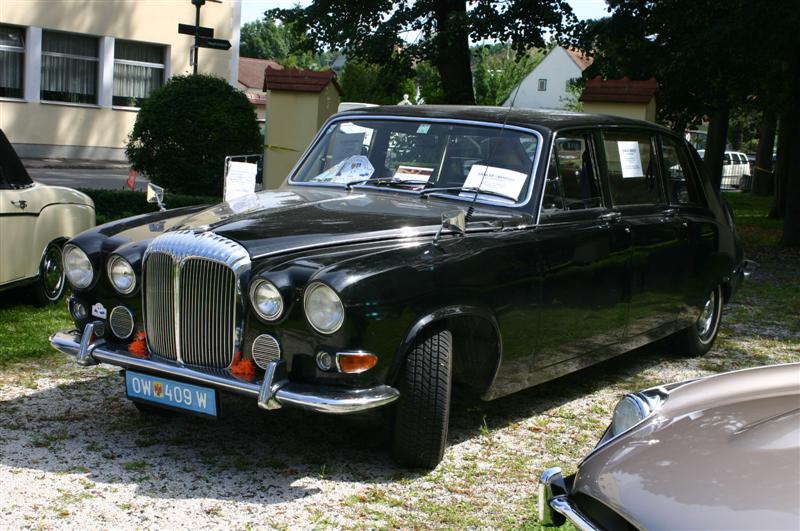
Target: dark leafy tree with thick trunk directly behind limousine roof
pixel 376 31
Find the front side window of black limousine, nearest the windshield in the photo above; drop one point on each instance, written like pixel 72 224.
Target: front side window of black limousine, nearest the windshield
pixel 572 182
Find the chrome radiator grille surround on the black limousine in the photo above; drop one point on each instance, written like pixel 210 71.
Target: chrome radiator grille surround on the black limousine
pixel 178 246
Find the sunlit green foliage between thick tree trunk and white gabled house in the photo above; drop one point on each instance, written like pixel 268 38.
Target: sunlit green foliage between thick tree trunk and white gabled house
pixel 498 70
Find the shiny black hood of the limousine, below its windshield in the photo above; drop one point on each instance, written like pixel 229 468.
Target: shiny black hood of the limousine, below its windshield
pixel 304 217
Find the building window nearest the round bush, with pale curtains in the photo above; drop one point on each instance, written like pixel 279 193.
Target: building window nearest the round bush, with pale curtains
pixel 138 71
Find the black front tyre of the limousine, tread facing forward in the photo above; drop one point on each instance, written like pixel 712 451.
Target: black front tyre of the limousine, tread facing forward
pixel 423 410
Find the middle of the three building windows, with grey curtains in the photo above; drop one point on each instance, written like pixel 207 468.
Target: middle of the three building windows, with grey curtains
pixel 69 67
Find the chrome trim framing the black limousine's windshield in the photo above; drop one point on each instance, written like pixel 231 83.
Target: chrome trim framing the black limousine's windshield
pixel 354 117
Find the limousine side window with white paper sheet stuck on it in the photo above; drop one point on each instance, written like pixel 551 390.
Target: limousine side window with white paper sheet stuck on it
pixel 631 168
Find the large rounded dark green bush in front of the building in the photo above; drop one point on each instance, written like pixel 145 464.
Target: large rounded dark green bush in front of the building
pixel 185 129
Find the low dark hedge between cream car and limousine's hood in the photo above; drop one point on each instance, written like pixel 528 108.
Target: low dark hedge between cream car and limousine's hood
pixel 111 205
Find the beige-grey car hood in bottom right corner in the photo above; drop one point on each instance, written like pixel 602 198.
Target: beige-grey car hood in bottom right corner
pixel 722 452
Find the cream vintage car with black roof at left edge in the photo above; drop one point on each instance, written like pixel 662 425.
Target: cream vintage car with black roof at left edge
pixel 35 221
